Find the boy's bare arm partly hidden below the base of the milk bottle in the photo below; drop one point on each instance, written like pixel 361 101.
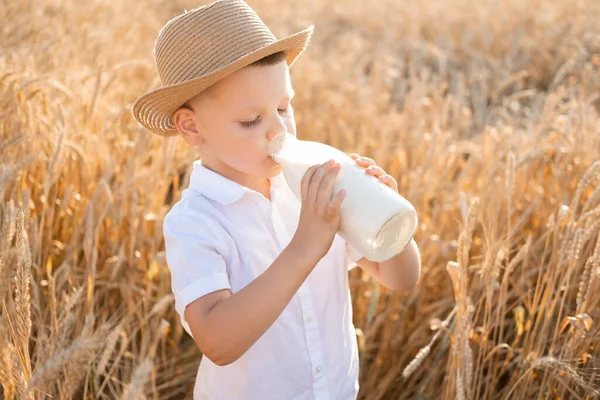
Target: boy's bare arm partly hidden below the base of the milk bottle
pixel 399 273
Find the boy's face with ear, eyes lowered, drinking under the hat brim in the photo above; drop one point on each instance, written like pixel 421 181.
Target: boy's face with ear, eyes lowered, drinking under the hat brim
pixel 234 121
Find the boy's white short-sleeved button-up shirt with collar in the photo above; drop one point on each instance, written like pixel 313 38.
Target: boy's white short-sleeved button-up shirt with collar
pixel 222 235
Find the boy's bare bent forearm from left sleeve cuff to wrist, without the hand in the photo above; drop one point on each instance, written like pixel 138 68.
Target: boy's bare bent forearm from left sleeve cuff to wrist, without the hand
pixel 225 325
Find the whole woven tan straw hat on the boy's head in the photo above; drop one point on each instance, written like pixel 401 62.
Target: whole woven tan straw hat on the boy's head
pixel 198 48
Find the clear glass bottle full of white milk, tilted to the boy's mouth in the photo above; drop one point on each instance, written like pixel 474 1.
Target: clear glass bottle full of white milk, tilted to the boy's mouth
pixel 376 220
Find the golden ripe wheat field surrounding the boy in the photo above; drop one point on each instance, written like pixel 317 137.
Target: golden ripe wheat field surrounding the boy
pixel 486 113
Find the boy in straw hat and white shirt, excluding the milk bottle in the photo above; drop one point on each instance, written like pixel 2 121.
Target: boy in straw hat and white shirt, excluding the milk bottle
pixel 260 279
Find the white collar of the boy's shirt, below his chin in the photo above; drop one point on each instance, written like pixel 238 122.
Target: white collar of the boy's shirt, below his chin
pixel 223 190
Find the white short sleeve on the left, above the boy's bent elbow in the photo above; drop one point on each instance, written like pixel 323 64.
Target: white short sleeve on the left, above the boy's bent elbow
pixel 193 248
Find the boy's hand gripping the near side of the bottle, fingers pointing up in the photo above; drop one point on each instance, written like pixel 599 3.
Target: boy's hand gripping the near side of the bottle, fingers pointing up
pixel 320 213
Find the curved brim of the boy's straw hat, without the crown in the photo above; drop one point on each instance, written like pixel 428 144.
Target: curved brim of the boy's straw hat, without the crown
pixel 154 109
